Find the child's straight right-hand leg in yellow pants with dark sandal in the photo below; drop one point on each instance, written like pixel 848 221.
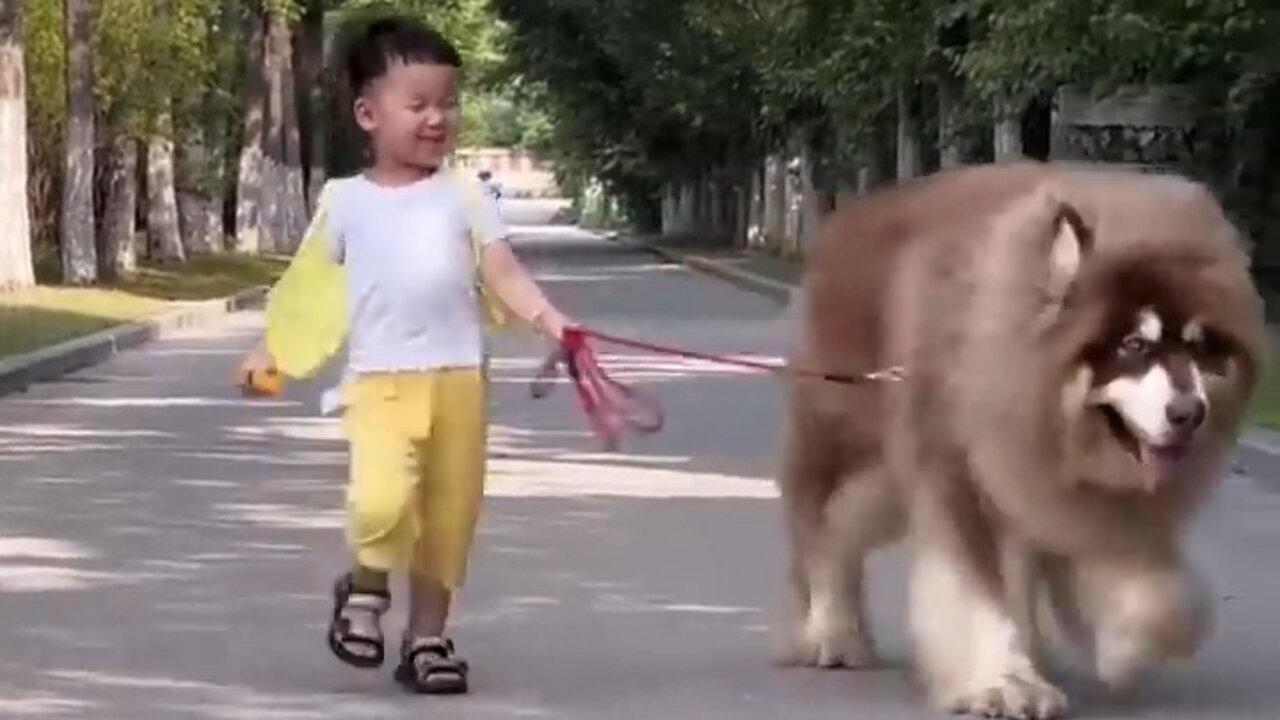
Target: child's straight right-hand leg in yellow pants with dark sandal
pixel 450 499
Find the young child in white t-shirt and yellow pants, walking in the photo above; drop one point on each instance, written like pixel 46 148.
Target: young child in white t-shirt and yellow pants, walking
pixel 409 235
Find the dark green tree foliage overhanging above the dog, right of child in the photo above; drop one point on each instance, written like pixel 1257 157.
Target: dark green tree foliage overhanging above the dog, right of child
pixel 644 90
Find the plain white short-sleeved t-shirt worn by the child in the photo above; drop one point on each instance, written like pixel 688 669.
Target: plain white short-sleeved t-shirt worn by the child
pixel 412 271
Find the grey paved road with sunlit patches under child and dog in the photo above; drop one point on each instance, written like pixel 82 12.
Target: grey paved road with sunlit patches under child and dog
pixel 166 546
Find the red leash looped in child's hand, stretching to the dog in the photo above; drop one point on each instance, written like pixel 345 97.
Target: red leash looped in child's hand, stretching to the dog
pixel 614 408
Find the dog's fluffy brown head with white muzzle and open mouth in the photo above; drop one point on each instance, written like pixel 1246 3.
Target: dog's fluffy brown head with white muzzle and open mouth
pixel 1158 349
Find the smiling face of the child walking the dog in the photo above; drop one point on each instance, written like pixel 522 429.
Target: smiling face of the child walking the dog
pixel 412 115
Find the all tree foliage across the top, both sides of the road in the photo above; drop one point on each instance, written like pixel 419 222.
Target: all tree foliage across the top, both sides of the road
pixel 642 95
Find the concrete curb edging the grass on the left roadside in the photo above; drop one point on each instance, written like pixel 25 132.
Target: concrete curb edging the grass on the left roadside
pixel 20 372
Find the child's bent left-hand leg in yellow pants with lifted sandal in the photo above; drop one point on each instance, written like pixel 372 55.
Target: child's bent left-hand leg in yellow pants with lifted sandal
pixel 380 522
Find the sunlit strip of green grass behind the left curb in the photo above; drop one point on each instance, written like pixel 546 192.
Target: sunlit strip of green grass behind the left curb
pixel 44 316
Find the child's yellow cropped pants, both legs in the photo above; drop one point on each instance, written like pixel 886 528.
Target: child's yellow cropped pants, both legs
pixel 418 463
